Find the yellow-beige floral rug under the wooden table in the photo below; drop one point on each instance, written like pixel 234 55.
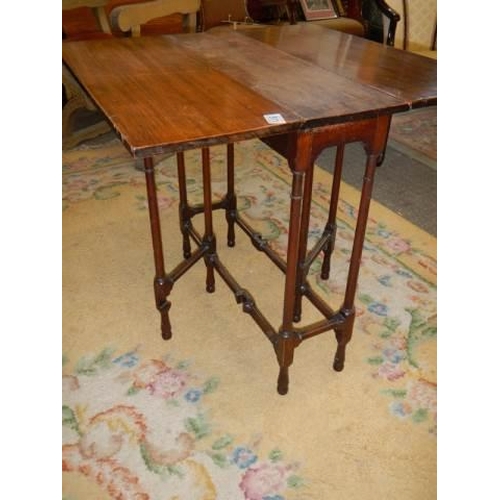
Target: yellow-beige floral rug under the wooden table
pixel 148 419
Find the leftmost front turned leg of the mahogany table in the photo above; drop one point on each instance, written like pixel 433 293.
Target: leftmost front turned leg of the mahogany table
pixel 162 284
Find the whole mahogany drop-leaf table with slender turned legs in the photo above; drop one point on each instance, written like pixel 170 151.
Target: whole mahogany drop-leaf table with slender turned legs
pixel 173 93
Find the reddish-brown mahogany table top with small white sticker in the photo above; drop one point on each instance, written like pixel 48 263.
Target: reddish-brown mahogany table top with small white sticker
pixel 176 92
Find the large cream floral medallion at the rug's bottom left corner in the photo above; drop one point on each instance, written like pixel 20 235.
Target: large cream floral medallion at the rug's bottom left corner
pixel 138 429
